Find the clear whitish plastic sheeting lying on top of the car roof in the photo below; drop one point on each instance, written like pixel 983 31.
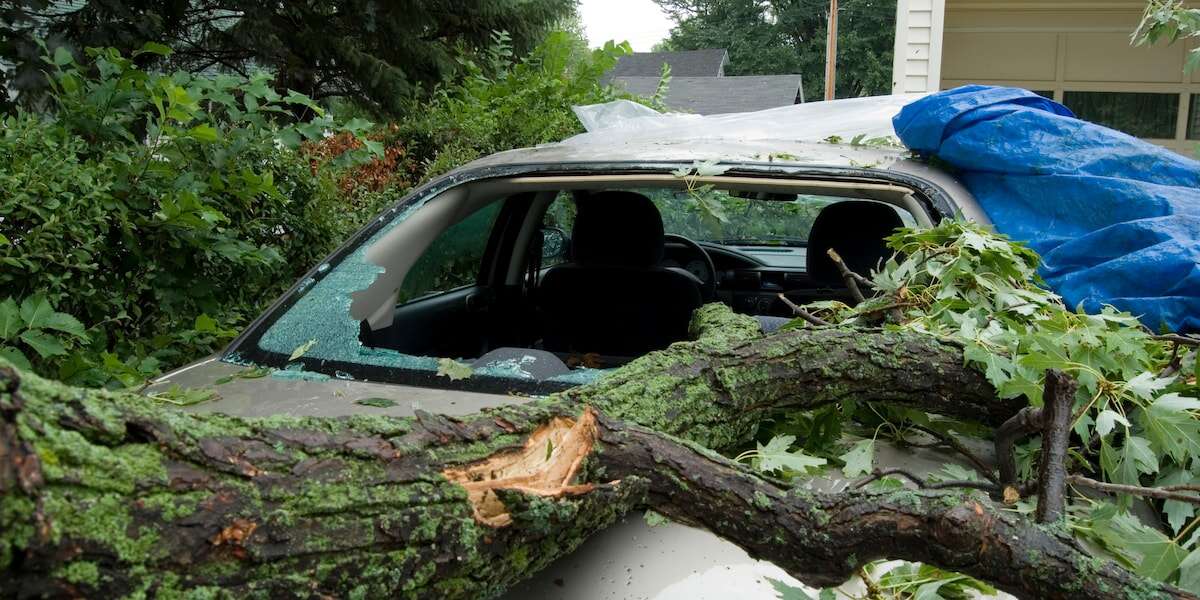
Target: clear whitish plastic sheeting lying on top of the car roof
pixel 623 122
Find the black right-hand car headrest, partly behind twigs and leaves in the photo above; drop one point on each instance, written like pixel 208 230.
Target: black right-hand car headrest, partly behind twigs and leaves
pixel 856 230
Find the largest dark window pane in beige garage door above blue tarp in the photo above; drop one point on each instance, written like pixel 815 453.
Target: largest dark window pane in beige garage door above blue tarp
pixel 1142 115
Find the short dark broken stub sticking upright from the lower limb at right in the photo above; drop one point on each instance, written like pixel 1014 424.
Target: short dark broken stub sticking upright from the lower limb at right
pixel 1057 400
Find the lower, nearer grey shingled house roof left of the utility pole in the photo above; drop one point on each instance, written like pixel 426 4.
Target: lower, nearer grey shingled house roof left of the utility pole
pixel 719 95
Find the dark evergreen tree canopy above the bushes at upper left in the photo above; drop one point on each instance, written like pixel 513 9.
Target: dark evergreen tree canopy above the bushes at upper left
pixel 373 51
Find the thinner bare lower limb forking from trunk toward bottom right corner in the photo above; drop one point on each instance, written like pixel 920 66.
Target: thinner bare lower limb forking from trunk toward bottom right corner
pixel 824 538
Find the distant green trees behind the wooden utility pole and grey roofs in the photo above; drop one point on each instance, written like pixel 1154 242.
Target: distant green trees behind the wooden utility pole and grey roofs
pixel 789 37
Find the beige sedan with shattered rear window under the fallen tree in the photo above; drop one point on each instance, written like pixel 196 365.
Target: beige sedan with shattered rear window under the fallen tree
pixel 536 271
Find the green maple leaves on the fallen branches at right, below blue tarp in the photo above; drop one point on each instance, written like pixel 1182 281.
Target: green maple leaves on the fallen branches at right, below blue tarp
pixel 1133 424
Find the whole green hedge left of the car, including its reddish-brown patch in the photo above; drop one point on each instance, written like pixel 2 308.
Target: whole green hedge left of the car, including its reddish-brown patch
pixel 161 212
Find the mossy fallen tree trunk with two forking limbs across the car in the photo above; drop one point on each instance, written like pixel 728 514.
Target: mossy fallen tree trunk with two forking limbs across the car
pixel 109 494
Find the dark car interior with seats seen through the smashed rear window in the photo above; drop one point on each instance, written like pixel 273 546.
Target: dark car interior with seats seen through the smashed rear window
pixel 593 272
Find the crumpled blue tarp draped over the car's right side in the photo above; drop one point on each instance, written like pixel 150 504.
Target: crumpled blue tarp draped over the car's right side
pixel 1115 219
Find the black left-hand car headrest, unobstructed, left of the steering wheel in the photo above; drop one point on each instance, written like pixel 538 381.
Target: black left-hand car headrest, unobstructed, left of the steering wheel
pixel 617 230
